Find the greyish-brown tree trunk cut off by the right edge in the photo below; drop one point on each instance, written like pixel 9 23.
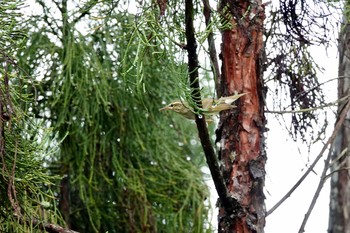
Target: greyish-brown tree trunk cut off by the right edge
pixel 339 211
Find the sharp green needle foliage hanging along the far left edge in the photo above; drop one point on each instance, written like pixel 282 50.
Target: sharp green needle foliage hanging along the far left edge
pixel 27 200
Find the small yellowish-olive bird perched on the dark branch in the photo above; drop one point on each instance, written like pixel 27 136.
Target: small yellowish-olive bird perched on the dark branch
pixel 210 106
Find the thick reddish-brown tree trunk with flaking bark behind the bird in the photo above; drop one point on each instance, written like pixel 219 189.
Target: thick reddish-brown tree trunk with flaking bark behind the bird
pixel 240 132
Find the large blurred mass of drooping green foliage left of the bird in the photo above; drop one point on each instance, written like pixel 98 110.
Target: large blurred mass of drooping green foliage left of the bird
pixel 101 75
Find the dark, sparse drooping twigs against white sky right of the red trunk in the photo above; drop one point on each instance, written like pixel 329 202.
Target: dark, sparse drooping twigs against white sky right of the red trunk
pixel 293 30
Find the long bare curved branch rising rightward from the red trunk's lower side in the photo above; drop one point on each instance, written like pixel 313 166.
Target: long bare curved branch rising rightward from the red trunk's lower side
pixel 324 148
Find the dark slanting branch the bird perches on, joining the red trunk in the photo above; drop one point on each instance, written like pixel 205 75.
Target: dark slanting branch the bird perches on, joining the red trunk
pixel 208 149
